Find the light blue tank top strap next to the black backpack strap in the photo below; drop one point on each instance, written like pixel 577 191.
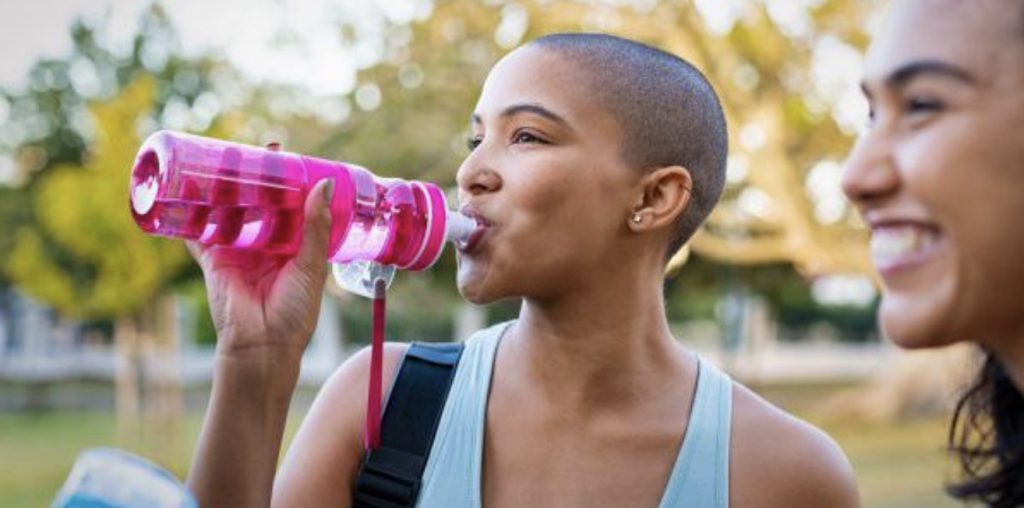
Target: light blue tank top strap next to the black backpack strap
pixel 453 472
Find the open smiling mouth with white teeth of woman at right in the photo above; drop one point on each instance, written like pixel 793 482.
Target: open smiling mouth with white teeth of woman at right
pixel 900 246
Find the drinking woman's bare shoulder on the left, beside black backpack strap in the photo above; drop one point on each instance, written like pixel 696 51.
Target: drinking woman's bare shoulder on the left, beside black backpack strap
pixel 327 451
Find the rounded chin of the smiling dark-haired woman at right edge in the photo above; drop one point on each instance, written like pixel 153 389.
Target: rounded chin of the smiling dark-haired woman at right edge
pixel 916 323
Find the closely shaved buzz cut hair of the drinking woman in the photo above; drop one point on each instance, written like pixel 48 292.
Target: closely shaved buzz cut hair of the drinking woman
pixel 667 109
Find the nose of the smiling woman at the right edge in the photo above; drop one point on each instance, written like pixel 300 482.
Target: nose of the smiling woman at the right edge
pixel 871 175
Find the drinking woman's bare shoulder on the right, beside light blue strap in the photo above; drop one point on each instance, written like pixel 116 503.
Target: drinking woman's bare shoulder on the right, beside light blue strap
pixel 780 460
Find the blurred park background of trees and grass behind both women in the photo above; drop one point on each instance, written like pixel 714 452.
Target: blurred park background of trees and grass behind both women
pixel 105 334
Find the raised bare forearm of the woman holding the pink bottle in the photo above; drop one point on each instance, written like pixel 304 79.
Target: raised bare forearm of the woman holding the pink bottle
pixel 238 449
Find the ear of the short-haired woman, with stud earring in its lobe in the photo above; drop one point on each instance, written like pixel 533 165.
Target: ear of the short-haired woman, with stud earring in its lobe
pixel 664 196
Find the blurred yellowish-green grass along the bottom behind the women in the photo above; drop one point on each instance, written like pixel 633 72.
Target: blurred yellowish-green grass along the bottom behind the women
pixel 898 465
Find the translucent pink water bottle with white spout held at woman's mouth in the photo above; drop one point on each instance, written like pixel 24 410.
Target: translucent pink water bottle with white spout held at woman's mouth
pixel 248 198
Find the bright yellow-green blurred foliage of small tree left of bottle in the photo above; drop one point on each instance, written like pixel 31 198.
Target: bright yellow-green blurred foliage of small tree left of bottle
pixel 83 210
